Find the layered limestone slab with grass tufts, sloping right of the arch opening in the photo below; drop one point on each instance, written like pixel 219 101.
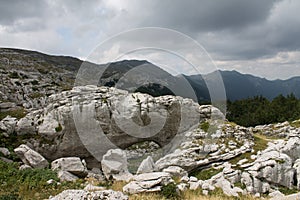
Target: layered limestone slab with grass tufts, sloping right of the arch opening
pixel 202 148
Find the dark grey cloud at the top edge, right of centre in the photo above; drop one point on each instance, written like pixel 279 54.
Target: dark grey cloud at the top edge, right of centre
pixel 207 15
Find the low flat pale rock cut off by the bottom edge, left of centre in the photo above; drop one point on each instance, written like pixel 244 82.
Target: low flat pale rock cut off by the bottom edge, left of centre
pixel 95 195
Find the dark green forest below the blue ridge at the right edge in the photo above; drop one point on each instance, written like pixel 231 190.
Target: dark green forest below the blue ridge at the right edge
pixel 259 110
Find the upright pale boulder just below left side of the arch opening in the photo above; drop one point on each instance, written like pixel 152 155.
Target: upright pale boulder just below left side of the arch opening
pixel 114 165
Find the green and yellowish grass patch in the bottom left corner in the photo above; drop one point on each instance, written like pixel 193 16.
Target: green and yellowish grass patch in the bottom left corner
pixel 30 183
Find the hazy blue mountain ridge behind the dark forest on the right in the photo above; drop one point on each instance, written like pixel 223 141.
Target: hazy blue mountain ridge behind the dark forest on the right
pixel 241 86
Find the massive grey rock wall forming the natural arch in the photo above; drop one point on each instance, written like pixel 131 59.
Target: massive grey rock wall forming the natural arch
pixel 79 121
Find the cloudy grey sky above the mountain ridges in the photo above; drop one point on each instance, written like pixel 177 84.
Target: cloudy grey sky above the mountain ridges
pixel 256 37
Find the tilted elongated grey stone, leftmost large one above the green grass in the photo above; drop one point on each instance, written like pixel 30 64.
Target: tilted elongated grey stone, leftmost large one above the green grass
pixel 31 157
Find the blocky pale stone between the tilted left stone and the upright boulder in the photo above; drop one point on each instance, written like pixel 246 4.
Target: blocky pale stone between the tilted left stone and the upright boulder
pixel 70 164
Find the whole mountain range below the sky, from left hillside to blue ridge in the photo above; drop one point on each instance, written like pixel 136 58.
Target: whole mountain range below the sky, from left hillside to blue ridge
pixel 58 73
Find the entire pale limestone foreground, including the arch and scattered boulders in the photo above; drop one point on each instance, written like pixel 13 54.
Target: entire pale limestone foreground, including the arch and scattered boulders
pixel 239 160
